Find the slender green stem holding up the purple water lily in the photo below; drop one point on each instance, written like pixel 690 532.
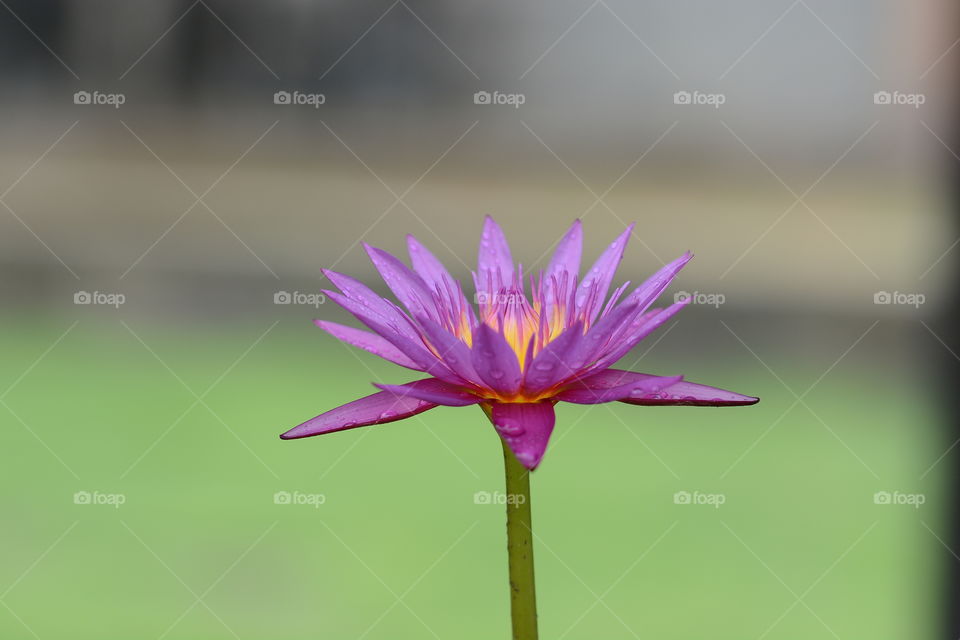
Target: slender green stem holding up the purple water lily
pixel 523 597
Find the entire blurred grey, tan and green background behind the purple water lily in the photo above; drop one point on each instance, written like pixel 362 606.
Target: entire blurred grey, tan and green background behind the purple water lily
pixel 200 200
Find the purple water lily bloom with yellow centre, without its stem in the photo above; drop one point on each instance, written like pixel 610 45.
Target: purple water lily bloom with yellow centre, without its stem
pixel 515 355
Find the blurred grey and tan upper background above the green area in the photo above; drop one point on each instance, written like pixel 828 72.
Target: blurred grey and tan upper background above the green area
pixel 290 188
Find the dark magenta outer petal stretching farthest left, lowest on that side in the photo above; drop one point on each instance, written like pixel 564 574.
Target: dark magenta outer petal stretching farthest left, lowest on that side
pixel 378 408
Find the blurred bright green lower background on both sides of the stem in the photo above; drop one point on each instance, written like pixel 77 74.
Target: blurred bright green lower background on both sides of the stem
pixel 398 518
